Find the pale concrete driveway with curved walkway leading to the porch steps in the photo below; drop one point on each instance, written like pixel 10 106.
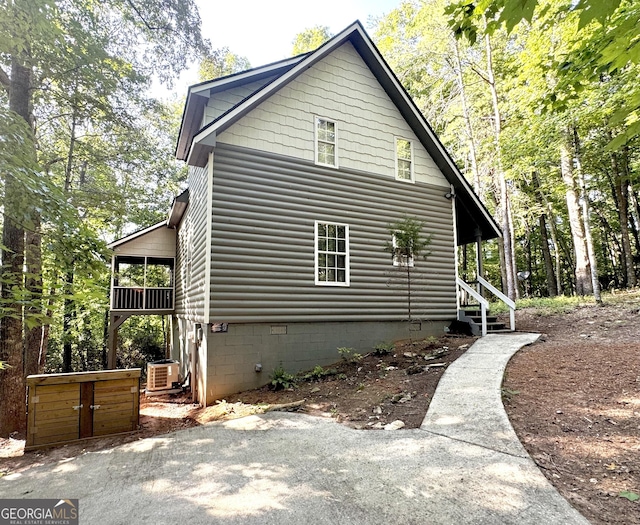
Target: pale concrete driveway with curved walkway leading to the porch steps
pixel 464 465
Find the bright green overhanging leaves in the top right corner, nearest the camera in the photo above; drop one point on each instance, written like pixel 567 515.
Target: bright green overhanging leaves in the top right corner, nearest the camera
pixel 605 42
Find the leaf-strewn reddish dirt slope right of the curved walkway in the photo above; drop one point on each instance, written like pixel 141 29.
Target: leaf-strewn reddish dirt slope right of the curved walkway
pixel 574 401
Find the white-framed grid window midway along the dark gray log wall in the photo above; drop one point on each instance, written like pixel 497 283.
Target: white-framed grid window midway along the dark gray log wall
pixel 332 254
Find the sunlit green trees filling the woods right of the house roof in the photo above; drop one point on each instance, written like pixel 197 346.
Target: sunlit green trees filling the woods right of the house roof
pixel 556 91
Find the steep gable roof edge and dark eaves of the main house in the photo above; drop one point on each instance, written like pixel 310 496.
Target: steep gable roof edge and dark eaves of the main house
pixel 194 145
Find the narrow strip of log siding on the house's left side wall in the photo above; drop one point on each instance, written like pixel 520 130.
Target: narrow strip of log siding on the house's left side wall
pixel 190 292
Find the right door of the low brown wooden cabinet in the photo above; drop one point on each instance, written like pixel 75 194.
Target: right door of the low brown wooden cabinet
pixel 115 405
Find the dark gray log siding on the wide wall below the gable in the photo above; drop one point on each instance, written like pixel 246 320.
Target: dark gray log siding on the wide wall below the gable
pixel 264 210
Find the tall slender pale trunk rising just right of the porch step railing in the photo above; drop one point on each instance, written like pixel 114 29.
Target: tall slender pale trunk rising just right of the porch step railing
pixel 501 183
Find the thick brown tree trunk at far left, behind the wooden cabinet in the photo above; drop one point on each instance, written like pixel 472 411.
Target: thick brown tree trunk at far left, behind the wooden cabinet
pixel 13 417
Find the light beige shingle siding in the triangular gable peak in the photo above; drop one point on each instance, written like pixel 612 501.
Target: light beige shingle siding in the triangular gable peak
pixel 340 87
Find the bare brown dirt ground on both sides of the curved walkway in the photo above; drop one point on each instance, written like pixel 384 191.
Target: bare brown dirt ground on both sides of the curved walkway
pixel 573 399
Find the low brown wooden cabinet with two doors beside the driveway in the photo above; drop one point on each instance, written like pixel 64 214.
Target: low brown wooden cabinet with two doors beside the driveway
pixel 70 407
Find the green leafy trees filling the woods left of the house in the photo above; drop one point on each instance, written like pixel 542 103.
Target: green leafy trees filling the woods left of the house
pixel 83 144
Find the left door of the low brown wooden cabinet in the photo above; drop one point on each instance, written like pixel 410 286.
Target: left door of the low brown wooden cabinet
pixel 55 414
